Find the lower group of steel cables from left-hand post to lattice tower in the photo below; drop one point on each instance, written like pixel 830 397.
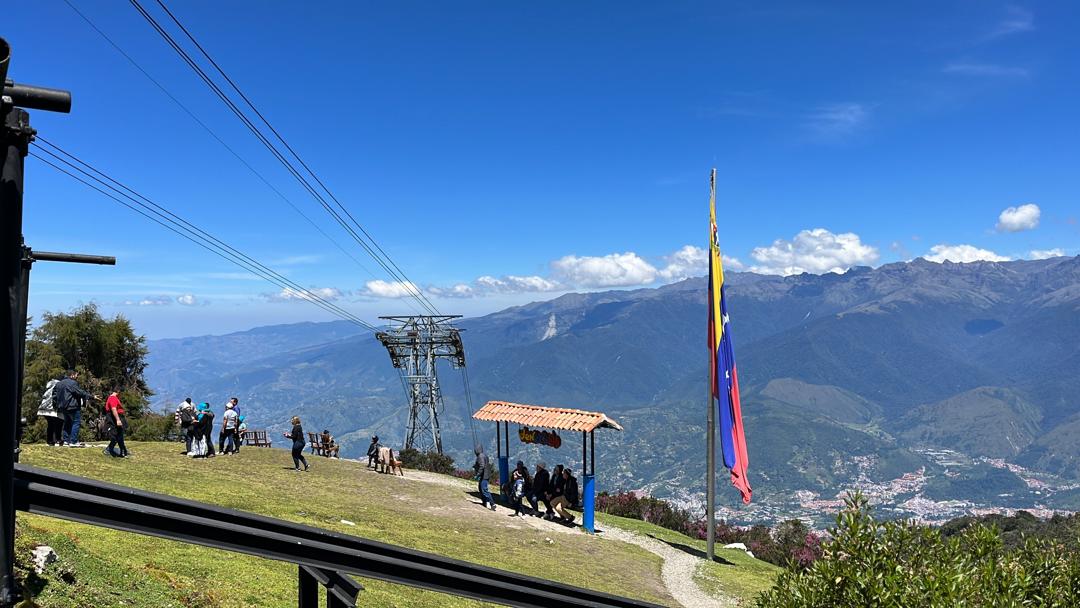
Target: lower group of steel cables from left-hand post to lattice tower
pixel 180 226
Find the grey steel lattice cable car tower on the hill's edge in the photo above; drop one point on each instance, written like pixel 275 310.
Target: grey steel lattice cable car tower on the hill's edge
pixel 416 344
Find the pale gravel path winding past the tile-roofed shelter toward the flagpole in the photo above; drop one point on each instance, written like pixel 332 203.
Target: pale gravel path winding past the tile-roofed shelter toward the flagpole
pixel 678 571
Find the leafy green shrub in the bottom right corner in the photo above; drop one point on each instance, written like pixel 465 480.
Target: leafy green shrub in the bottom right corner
pixel 900 563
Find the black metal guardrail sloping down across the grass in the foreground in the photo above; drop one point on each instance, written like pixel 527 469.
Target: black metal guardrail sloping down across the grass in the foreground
pixel 323 556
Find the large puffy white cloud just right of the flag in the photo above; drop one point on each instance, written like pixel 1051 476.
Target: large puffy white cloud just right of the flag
pixel 816 251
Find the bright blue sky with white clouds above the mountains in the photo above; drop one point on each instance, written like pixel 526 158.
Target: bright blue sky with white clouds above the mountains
pixel 508 154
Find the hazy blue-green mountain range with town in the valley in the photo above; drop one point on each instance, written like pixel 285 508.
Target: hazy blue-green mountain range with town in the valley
pixel 858 380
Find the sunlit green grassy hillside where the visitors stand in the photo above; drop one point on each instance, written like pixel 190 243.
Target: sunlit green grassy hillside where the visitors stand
pixel 102 569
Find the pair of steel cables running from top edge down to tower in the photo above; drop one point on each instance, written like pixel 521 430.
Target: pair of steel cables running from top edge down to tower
pixel 383 261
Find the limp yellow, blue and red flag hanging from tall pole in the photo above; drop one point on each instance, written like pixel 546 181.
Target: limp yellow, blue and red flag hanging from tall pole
pixel 725 380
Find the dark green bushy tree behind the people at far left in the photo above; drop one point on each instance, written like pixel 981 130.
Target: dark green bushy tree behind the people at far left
pixel 107 354
